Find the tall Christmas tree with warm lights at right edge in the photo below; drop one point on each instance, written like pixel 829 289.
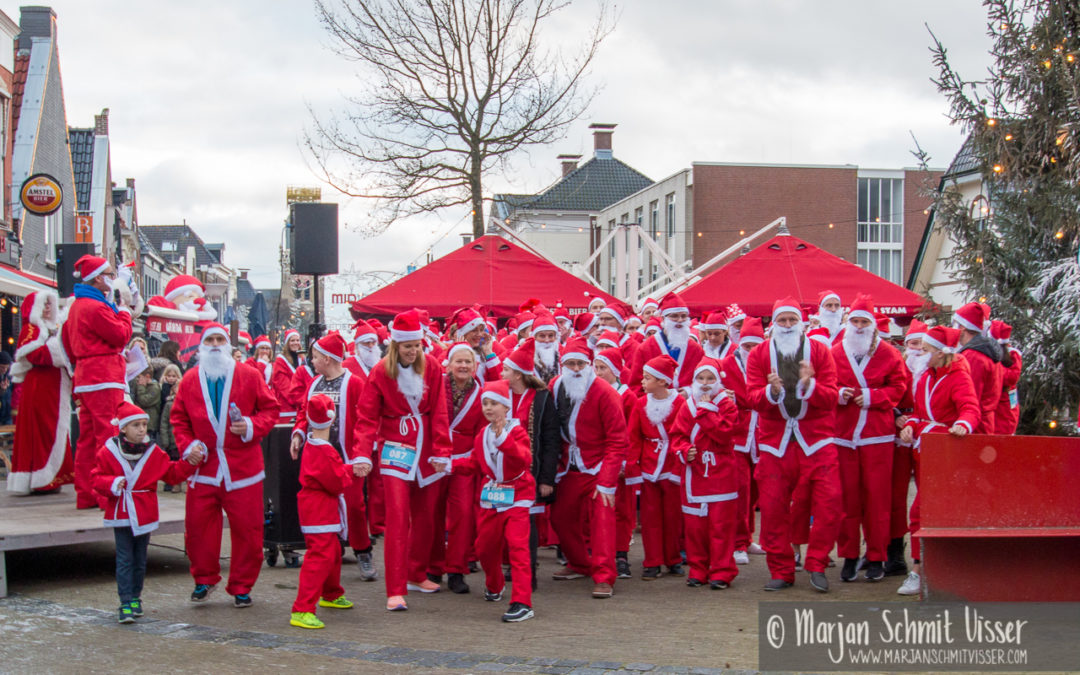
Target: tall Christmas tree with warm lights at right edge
pixel 1018 250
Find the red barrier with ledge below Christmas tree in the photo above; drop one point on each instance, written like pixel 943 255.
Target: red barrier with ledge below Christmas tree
pixel 1001 518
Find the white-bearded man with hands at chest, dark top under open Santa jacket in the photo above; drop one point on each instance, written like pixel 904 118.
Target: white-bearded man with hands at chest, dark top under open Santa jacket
pixel 791 382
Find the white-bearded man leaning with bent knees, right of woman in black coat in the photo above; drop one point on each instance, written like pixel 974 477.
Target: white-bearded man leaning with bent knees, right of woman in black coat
pixel 595 450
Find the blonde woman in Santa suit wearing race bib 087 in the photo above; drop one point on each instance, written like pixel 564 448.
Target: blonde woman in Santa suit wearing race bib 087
pixel 403 425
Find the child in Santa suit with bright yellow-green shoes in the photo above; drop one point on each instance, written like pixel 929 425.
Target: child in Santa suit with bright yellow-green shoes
pixel 320 504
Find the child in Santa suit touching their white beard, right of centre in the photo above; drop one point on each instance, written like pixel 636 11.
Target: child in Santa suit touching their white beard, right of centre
pixel 653 464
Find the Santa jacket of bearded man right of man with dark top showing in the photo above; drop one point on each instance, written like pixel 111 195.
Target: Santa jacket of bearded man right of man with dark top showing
pixel 881 381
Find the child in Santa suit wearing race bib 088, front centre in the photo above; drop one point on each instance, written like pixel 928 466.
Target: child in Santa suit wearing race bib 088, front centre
pixel 503 460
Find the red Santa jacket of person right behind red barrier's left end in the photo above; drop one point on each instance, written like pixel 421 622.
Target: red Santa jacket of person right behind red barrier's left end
pixel 944 397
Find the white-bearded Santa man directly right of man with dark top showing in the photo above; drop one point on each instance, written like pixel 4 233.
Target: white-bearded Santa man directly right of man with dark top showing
pixel 872 383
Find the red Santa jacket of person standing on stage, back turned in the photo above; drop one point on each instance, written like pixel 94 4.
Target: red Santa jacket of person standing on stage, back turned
pixel 94 336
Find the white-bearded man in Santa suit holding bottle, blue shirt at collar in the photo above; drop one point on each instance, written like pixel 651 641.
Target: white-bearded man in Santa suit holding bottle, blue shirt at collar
pixel 225 411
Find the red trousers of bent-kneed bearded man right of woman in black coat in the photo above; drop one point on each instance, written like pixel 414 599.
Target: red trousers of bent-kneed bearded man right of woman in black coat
pixel 590 552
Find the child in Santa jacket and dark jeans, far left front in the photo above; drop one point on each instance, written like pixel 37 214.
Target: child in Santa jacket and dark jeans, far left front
pixel 126 475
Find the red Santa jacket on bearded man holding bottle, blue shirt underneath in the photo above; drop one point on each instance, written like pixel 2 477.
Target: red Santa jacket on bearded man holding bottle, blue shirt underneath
pixel 233 461
